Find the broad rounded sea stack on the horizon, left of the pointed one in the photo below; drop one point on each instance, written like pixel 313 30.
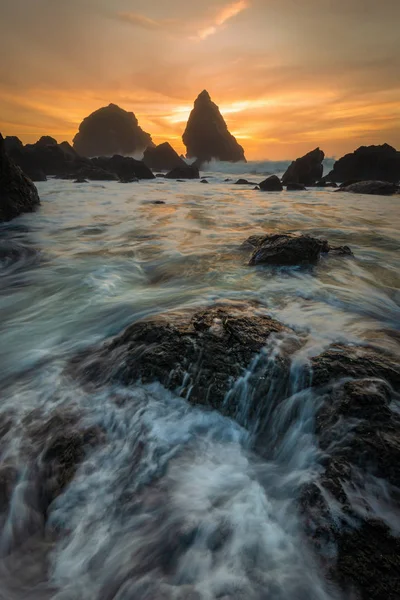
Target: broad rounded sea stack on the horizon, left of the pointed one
pixel 110 130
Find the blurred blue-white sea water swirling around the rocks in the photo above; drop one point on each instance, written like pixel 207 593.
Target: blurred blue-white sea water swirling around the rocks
pixel 175 502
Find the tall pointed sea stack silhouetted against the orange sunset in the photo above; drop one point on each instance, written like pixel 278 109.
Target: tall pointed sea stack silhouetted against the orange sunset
pixel 206 135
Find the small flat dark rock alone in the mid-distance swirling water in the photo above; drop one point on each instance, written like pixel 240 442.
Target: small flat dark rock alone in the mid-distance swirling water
pixel 286 249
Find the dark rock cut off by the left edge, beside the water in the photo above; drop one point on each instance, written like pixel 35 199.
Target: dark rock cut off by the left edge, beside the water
pixel 17 193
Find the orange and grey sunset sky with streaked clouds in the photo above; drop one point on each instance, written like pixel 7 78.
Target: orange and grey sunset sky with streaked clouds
pixel 288 75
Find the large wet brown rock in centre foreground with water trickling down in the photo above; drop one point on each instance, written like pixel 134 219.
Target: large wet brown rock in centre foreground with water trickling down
pixel 198 354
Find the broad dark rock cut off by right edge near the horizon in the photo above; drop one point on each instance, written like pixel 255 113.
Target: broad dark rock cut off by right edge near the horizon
pixel 368 163
